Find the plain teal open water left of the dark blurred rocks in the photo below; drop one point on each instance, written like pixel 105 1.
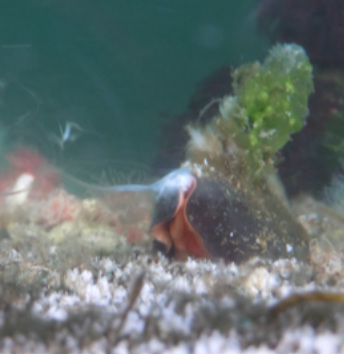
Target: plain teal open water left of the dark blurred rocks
pixel 119 70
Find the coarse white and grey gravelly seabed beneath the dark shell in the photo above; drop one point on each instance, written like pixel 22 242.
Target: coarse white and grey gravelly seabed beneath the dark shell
pixel 71 296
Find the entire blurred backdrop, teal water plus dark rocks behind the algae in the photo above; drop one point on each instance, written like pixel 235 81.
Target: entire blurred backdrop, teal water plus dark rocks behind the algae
pixel 111 85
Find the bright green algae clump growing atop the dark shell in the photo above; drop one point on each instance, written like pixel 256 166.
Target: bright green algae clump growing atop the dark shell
pixel 270 103
